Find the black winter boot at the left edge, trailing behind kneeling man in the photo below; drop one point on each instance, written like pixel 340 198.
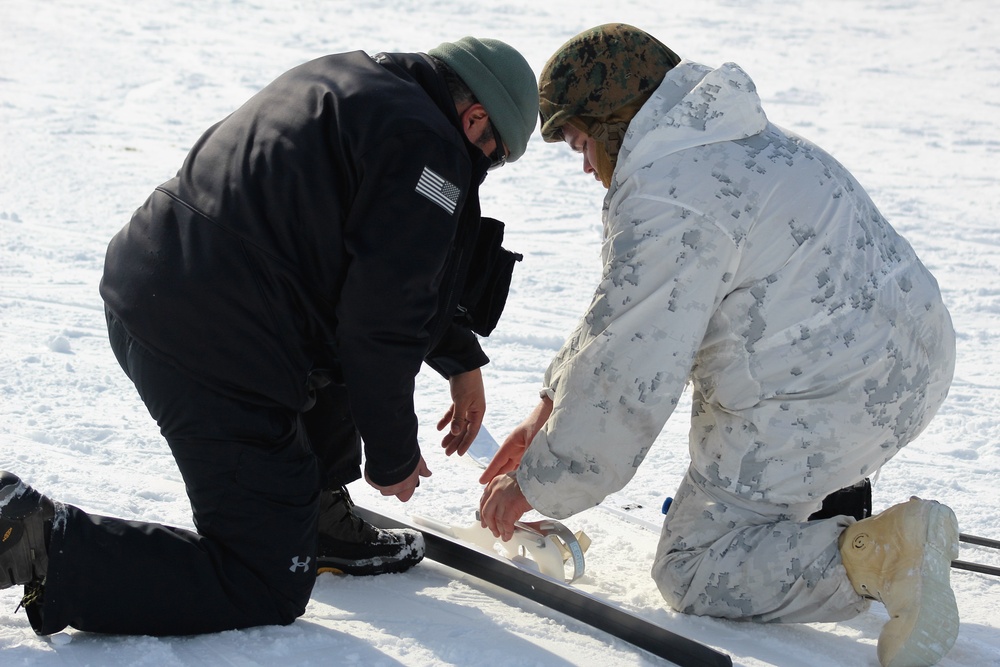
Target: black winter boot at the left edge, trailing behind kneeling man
pixel 25 522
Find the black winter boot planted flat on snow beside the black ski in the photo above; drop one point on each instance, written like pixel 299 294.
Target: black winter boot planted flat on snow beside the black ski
pixel 350 545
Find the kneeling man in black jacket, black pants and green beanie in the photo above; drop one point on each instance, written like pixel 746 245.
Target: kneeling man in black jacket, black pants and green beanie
pixel 273 304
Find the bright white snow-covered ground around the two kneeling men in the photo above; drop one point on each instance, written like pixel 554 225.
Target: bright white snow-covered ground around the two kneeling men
pixel 99 102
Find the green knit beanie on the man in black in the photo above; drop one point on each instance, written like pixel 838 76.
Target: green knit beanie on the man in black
pixel 502 81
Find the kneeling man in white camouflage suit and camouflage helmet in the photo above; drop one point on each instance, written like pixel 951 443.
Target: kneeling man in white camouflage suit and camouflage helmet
pixel 746 260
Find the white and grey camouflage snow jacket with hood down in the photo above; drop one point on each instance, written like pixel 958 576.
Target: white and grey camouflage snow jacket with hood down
pixel 746 260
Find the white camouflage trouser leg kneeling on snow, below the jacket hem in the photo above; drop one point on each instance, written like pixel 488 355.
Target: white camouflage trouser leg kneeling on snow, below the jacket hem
pixel 720 555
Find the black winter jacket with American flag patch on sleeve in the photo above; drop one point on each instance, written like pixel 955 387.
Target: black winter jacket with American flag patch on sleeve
pixel 319 233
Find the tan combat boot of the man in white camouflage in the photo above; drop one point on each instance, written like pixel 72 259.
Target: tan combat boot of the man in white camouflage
pixel 902 558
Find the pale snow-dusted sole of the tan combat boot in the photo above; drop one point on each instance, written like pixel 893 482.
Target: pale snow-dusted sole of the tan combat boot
pixel 935 627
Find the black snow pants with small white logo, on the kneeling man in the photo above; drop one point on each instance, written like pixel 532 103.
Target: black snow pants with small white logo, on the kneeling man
pixel 253 476
